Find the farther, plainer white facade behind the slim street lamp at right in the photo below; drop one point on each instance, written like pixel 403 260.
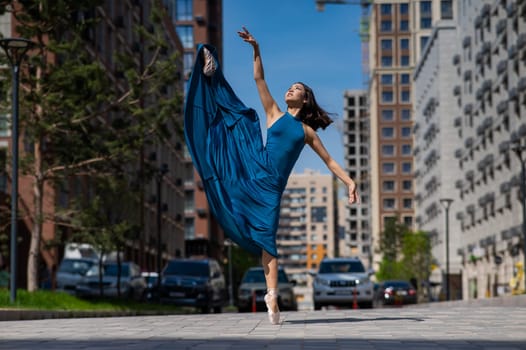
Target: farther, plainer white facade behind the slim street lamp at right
pixel 435 164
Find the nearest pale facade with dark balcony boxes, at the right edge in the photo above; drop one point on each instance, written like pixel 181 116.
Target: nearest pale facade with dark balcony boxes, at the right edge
pixel 489 95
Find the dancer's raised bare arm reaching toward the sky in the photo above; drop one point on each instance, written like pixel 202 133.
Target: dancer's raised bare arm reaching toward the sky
pixel 269 104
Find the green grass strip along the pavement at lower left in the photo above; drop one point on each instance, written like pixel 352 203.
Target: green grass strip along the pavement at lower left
pixel 60 301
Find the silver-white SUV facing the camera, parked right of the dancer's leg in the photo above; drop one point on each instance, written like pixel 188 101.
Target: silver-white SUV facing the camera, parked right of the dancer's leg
pixel 342 281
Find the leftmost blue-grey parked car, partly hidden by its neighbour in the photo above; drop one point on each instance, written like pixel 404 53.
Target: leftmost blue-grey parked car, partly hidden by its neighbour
pixel 71 271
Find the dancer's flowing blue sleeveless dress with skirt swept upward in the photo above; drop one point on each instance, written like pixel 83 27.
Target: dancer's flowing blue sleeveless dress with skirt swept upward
pixel 242 177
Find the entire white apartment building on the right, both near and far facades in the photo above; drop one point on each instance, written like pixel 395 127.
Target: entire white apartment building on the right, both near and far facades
pixel 469 112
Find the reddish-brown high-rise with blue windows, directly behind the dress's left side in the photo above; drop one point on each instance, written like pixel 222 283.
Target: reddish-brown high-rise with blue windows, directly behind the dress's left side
pixel 198 21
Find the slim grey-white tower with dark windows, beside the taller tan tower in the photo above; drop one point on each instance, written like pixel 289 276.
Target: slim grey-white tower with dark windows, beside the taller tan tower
pixel 355 238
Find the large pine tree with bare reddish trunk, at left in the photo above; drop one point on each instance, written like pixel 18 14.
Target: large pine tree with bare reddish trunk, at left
pixel 81 120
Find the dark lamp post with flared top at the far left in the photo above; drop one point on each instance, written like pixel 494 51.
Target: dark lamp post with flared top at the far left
pixel 15 49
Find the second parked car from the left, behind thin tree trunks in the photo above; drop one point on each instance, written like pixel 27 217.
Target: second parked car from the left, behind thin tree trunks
pixel 132 284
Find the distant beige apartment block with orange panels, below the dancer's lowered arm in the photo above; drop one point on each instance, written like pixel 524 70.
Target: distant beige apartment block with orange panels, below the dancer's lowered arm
pixel 308 223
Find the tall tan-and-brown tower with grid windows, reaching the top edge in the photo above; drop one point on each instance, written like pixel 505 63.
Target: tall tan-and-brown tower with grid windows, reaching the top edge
pixel 399 30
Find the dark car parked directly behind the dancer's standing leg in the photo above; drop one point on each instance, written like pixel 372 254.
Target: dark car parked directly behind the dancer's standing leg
pixel 253 285
